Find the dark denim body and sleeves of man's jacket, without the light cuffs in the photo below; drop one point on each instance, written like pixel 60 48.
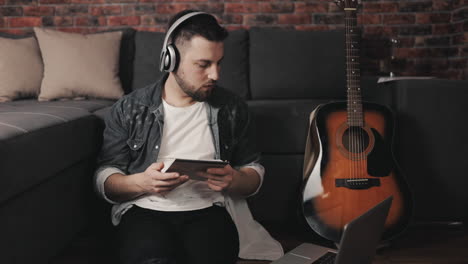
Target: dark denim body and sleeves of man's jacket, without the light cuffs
pixel 134 128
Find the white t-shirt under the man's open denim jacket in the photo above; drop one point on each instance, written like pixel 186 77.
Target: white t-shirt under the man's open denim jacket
pixel 187 135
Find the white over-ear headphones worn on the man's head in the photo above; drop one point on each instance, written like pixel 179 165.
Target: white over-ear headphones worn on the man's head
pixel 168 58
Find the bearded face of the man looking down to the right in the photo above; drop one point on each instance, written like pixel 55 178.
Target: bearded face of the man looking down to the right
pixel 199 67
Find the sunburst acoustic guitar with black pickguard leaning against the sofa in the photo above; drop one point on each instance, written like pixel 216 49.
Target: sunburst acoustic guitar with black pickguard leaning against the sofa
pixel 349 165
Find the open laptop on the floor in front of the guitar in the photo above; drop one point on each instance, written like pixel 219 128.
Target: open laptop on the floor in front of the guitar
pixel 360 239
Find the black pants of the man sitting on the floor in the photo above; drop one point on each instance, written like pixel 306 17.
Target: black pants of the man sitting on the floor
pixel 192 237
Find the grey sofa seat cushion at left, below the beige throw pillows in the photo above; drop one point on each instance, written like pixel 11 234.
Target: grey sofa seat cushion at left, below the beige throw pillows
pixel 37 142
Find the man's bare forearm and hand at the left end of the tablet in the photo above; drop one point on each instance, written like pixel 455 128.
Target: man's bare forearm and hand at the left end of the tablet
pixel 121 188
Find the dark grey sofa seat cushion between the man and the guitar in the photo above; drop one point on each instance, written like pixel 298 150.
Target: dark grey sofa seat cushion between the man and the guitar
pixel 282 124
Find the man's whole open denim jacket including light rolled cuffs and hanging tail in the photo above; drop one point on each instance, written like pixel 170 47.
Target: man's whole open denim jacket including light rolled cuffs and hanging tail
pixel 132 139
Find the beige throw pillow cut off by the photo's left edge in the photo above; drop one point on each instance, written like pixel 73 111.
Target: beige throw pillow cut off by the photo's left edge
pixel 20 68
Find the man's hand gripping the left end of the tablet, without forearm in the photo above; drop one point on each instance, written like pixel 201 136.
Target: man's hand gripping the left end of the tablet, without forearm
pixel 153 181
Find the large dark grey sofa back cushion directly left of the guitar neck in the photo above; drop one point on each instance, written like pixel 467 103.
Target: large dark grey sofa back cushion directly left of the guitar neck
pixel 290 64
